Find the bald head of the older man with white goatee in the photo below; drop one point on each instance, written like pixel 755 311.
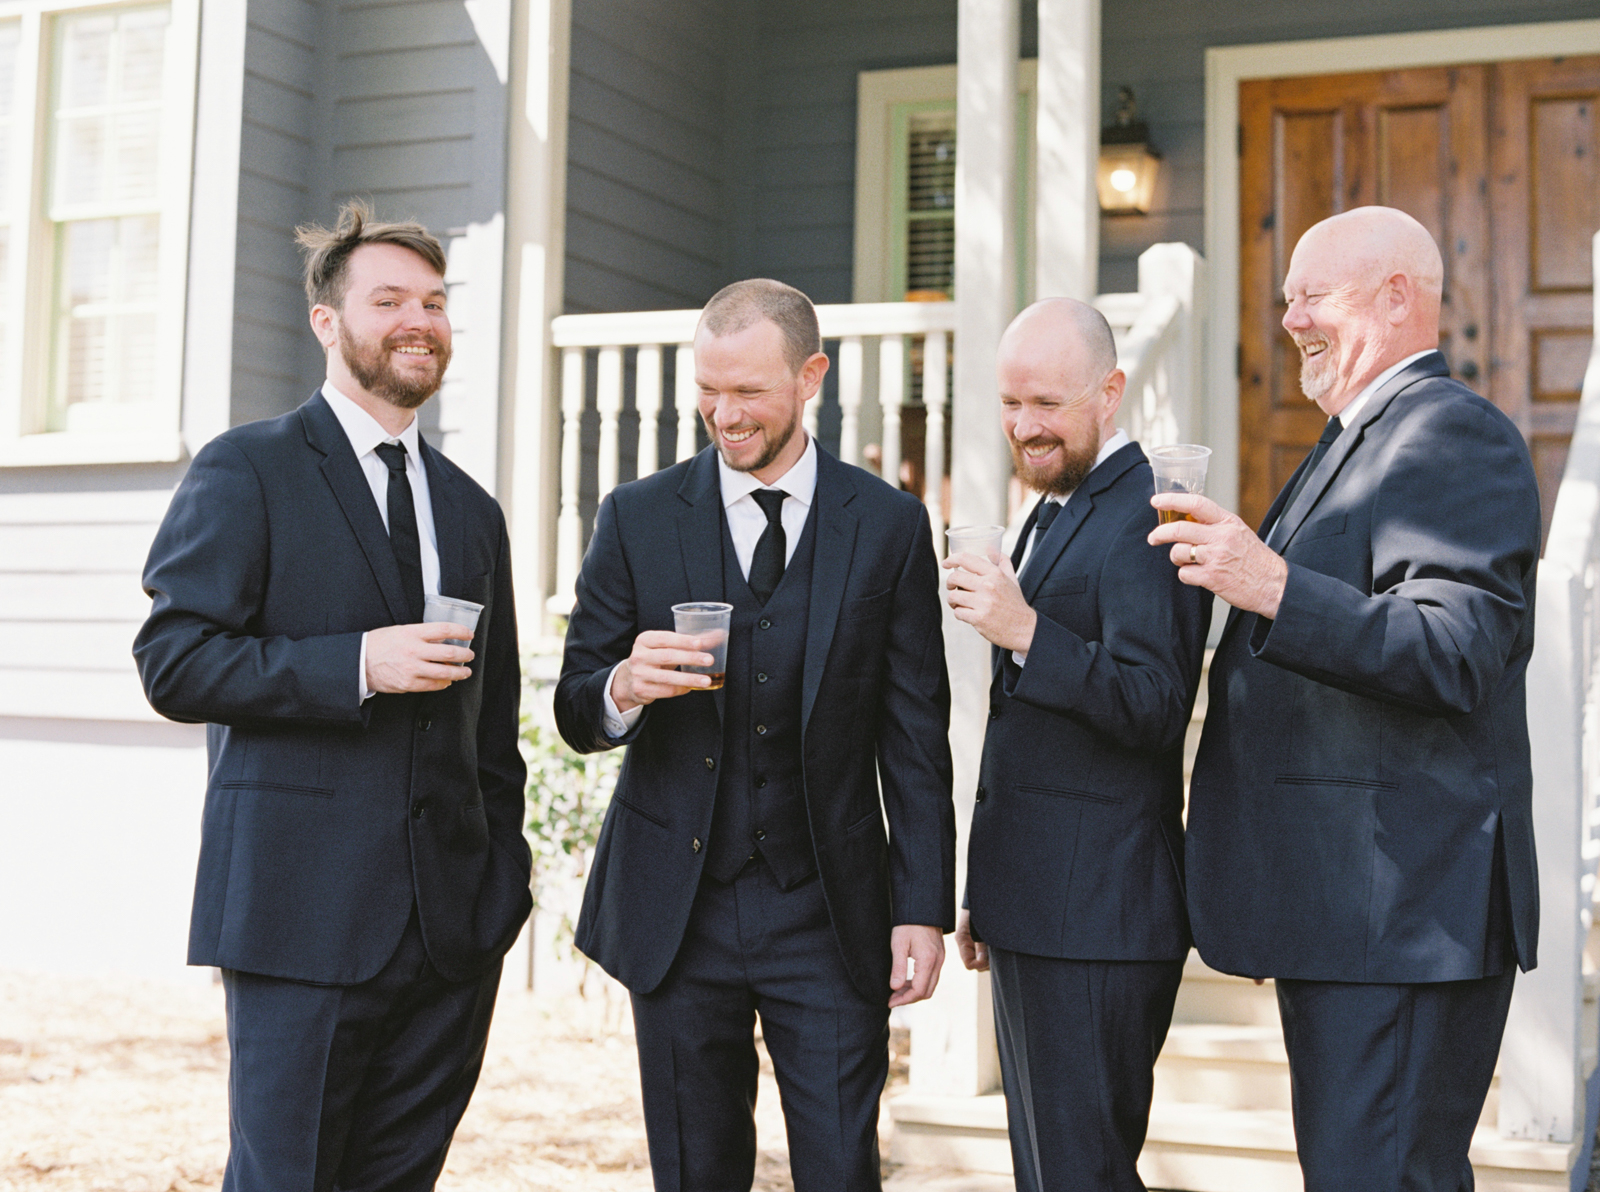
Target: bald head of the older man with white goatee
pixel 1364 294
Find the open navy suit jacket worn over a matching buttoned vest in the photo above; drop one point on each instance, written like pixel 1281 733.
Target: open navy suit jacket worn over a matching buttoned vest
pixel 876 708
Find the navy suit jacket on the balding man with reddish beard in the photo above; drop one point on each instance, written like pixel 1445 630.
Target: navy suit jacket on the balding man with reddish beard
pixel 1078 831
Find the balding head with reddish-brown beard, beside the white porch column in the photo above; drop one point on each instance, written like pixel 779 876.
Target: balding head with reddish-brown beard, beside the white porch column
pixel 1060 391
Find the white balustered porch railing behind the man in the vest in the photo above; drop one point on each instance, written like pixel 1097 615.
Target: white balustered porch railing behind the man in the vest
pixel 892 330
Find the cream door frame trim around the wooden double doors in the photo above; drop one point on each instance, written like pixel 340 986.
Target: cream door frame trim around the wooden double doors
pixel 1225 70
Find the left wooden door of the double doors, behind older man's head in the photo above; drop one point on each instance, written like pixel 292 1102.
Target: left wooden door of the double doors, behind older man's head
pixel 1313 148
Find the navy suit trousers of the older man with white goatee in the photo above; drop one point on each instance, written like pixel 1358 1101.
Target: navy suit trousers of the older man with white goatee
pixel 1390 1081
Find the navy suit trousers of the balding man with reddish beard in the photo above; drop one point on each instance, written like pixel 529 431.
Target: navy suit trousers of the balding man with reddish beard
pixel 1078 1054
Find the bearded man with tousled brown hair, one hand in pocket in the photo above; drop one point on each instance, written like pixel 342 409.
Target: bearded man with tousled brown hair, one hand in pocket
pixel 362 863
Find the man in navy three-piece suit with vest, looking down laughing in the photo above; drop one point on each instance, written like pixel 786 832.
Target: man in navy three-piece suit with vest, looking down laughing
pixel 745 868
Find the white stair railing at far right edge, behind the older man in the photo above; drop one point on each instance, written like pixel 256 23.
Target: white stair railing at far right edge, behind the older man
pixel 1550 1050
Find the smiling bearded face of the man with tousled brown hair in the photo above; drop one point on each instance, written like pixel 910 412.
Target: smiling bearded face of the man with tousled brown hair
pixel 393 329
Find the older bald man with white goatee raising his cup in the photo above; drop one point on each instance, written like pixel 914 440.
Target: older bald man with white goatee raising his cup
pixel 1361 820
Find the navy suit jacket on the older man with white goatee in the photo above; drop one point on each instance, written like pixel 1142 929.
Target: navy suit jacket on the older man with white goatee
pixel 1364 785
